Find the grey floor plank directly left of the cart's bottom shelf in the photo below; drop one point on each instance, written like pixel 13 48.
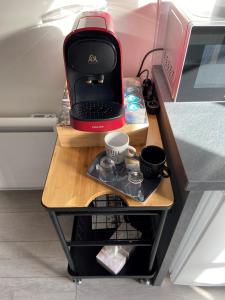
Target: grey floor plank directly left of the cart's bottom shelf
pixel 32 259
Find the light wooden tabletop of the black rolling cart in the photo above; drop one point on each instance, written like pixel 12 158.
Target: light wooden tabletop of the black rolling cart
pixel 68 186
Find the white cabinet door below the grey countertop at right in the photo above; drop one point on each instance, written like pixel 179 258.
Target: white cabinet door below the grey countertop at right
pixel 200 259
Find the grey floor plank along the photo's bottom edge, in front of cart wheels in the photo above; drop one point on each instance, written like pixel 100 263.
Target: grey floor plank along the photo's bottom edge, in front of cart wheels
pixel 128 289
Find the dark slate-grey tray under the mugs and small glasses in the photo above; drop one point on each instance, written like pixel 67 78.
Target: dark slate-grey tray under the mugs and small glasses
pixel 120 184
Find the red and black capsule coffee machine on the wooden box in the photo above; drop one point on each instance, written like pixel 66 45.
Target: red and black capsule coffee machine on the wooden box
pixel 92 56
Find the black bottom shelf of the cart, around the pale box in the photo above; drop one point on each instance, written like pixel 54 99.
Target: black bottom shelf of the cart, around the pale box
pixel 87 266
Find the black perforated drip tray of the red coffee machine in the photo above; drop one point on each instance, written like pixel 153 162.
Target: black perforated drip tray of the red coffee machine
pixel 96 110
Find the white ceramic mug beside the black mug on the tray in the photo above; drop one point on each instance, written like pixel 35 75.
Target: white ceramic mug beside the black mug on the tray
pixel 117 146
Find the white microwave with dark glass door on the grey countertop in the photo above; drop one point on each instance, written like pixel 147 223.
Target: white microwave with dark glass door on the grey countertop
pixel 193 59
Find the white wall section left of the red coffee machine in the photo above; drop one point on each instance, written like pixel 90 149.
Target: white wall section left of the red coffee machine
pixel 31 73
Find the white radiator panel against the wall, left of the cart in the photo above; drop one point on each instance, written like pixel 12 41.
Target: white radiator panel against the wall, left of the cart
pixel 26 147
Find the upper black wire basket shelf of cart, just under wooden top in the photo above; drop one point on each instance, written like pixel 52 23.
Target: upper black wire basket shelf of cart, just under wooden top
pixel 96 230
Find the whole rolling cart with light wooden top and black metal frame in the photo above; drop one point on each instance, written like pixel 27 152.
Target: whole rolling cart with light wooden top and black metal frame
pixel 97 214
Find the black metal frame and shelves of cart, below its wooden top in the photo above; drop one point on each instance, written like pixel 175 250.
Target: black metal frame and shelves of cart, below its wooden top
pixel 92 229
